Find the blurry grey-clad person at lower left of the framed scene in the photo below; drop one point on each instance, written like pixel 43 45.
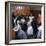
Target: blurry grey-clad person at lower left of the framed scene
pixel 19 29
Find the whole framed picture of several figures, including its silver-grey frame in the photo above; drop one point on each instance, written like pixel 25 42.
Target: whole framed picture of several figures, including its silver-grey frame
pixel 24 22
